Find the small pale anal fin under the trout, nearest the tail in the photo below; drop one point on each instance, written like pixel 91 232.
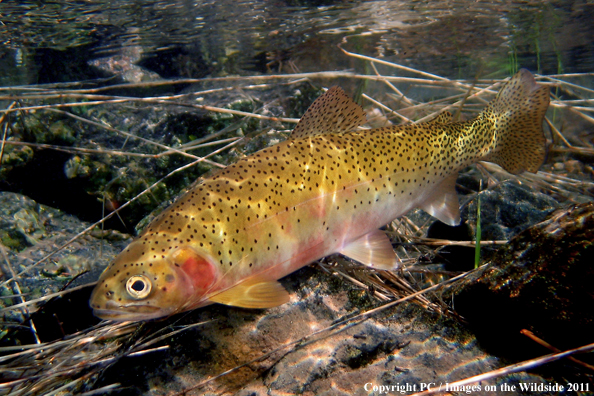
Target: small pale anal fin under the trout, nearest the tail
pixel 443 202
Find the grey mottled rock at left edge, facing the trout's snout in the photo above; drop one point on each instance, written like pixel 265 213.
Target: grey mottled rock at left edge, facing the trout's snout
pixel 28 233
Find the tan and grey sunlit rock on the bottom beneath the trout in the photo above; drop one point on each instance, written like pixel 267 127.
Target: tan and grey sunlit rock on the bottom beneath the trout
pixel 265 352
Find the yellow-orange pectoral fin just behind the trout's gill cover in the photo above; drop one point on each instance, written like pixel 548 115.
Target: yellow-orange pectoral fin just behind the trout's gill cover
pixel 253 293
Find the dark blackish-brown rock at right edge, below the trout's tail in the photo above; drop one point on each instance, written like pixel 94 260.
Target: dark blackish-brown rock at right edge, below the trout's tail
pixel 542 280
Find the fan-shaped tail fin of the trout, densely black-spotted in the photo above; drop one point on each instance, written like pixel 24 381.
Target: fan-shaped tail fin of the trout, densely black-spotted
pixel 517 114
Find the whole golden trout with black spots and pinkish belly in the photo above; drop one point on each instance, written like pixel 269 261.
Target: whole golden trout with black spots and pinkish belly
pixel 327 189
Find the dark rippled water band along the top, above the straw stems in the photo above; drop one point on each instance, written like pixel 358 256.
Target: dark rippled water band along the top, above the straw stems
pixel 55 41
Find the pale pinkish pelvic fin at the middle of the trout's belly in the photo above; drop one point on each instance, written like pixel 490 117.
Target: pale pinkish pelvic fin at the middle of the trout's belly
pixel 374 250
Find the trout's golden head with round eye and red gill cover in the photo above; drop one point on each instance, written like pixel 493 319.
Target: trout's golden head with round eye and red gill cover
pixel 142 285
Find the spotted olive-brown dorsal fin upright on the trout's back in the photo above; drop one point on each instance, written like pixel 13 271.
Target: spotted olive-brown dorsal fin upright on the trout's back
pixel 333 112
